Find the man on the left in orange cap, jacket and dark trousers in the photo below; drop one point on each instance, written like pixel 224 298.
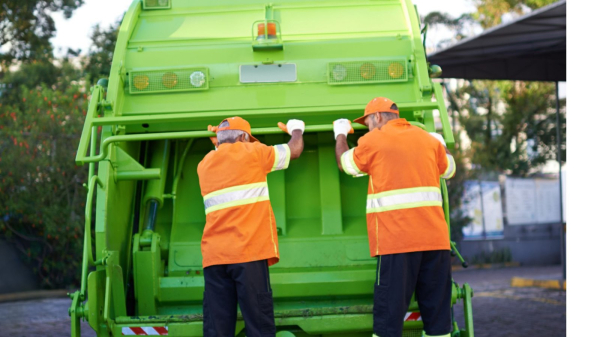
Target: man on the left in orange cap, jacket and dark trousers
pixel 239 242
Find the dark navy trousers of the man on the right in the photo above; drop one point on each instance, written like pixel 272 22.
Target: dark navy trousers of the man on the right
pixel 398 276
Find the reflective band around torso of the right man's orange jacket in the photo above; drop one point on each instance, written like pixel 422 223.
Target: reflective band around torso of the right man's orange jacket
pixel 404 198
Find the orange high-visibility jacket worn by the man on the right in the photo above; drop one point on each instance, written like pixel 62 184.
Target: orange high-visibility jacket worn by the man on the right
pixel 404 202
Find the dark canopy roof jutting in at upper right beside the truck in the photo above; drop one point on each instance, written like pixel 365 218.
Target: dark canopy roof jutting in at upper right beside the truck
pixel 531 48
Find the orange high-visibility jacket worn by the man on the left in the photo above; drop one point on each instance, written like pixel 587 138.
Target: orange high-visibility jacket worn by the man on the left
pixel 240 225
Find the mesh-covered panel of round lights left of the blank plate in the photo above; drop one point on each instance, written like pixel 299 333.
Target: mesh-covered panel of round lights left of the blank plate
pixel 168 80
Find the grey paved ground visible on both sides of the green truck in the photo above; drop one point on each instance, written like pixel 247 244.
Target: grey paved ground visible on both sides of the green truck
pixel 499 309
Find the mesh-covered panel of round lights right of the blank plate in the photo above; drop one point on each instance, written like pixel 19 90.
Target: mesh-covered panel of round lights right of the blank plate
pixel 362 72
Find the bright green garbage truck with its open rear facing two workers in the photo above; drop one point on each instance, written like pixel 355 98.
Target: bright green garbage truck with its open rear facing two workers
pixel 180 65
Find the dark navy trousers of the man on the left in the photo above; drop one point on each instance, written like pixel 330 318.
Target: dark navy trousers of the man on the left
pixel 245 283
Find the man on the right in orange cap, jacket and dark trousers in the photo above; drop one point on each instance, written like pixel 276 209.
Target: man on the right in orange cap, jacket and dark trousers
pixel 405 220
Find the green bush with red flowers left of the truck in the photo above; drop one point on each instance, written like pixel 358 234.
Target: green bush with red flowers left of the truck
pixel 41 194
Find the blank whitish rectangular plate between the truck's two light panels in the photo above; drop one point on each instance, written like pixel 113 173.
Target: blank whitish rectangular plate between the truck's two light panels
pixel 268 73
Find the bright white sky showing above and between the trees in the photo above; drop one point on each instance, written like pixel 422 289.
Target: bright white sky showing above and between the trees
pixel 75 32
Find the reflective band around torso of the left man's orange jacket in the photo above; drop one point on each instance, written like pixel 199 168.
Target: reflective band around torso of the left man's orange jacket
pixel 236 196
